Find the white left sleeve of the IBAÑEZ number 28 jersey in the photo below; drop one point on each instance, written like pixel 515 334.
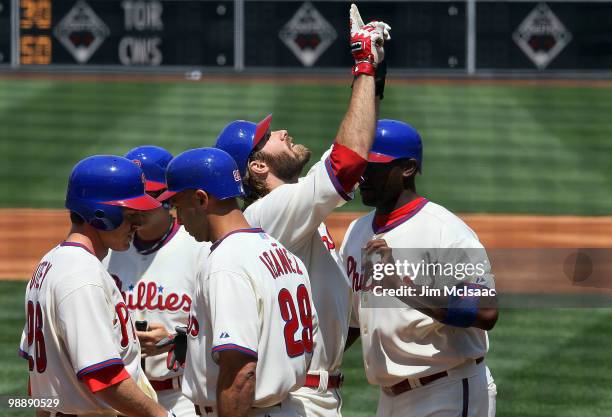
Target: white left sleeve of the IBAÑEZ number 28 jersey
pixel 234 313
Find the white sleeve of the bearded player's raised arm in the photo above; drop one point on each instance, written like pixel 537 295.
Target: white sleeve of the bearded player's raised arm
pixel 293 212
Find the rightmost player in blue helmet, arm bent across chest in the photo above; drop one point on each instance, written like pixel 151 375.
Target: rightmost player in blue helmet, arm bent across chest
pixel 428 360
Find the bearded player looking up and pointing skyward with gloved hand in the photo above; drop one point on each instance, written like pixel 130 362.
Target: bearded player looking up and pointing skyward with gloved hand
pixel 293 210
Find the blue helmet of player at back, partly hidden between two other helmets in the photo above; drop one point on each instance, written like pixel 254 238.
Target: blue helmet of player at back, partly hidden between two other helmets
pixel 153 161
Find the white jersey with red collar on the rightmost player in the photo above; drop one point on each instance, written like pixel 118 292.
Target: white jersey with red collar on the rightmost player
pixel 402 342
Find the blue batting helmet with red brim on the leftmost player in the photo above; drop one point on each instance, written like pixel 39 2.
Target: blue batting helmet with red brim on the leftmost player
pixel 99 186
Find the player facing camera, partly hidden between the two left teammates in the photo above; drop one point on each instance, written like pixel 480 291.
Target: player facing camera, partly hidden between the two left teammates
pixel 157 279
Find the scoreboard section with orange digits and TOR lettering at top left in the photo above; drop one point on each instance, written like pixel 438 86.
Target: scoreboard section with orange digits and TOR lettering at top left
pixel 126 32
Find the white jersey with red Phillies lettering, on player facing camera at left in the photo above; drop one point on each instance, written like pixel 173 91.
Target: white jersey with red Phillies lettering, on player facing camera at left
pixel 158 285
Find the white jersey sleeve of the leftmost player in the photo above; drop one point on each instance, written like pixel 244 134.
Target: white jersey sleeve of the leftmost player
pixel 86 320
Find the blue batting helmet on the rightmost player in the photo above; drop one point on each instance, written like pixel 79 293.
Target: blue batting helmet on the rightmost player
pixel 394 140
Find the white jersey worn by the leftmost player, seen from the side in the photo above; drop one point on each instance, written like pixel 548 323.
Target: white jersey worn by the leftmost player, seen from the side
pixel 77 326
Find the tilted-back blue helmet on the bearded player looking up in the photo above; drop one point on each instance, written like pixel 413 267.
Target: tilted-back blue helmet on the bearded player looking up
pixel 240 137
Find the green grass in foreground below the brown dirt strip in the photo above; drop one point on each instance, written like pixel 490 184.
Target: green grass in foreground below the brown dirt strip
pixel 546 362
